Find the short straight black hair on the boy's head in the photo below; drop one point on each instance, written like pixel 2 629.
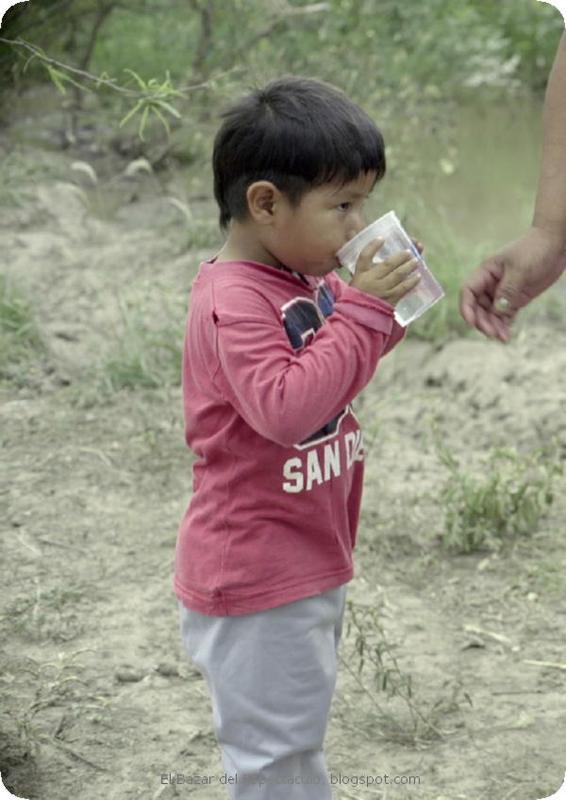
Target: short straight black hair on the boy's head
pixel 297 133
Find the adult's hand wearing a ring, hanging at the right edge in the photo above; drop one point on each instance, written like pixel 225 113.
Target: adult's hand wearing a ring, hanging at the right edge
pixel 510 279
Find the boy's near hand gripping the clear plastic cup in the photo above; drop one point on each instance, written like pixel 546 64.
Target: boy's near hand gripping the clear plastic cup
pixel 388 280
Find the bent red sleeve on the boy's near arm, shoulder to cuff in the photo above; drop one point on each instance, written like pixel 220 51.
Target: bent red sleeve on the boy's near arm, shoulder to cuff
pixel 283 394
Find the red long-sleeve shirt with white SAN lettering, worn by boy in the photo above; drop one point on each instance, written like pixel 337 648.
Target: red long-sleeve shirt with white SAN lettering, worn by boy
pixel 272 361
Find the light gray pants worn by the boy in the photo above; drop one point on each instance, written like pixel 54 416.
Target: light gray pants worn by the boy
pixel 271 676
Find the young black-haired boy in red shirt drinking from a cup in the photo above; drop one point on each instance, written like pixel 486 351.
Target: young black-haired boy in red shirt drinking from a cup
pixel 277 347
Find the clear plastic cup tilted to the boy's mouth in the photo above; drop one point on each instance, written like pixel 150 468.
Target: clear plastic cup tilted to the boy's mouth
pixel 425 294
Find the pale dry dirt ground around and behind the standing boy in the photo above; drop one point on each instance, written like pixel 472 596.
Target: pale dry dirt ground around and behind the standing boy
pixel 97 697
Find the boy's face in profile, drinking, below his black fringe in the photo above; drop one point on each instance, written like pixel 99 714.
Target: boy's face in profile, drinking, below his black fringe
pixel 306 238
